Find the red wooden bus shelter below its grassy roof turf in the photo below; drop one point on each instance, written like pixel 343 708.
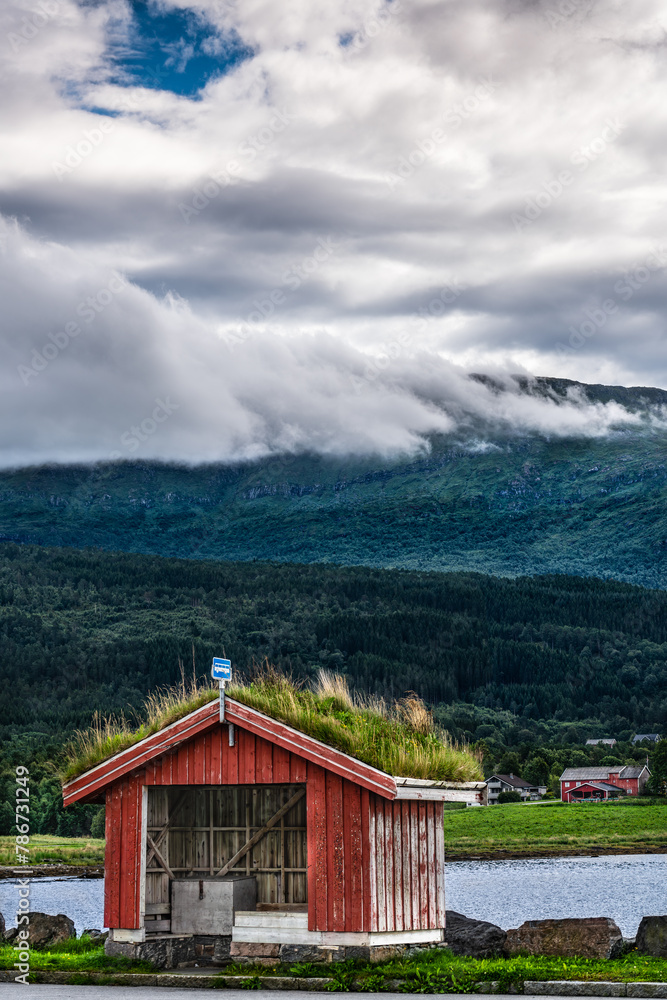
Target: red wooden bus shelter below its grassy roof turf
pixel 248 838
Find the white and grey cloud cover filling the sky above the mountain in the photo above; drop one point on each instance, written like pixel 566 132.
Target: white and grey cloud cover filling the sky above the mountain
pixel 452 187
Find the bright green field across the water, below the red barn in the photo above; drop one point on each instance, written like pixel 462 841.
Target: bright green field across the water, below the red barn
pixel 541 829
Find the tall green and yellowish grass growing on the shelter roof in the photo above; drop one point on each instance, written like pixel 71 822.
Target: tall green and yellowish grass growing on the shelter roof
pixel 400 738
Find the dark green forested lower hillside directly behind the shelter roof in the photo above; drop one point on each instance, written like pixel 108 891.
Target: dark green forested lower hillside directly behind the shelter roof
pixel 86 631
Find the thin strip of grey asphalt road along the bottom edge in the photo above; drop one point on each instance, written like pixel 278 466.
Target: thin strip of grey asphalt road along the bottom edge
pixel 44 992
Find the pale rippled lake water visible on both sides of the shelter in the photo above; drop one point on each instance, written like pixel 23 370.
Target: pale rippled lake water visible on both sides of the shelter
pixel 624 887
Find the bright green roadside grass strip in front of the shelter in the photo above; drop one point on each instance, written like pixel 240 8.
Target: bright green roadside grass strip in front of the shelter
pixel 435 971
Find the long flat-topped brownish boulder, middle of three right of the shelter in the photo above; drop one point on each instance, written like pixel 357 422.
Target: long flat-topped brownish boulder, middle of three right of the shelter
pixel 589 937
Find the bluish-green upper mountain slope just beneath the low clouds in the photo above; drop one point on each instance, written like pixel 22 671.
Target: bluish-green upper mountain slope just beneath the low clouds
pixel 513 506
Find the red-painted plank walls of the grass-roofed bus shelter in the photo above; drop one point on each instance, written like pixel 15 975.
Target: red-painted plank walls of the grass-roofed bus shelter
pixel 373 864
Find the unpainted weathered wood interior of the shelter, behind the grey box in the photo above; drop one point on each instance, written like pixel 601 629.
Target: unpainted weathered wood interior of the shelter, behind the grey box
pixel 257 830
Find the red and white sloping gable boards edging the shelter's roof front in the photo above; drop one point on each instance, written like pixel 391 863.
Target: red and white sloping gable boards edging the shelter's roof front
pixel 207 717
